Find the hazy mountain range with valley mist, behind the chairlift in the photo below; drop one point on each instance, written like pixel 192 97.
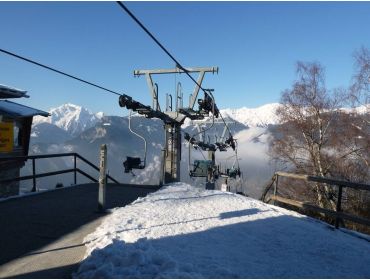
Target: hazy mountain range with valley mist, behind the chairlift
pixel 72 128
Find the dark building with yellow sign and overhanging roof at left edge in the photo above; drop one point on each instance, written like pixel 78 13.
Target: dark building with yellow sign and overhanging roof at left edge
pixel 15 132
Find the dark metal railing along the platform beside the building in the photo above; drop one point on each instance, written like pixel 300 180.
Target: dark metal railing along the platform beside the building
pixel 34 176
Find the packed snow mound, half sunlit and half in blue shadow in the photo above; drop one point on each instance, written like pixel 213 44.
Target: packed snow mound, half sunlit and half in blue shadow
pixel 184 232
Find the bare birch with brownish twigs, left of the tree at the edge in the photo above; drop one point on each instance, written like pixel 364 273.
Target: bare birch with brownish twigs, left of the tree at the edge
pixel 316 136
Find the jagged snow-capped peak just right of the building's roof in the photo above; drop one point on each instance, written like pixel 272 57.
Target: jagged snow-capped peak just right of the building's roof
pixel 71 118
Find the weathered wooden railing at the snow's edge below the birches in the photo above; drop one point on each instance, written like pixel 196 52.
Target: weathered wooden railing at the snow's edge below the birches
pixel 337 214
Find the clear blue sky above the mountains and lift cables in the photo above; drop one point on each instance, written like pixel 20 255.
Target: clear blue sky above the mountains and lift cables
pixel 255 45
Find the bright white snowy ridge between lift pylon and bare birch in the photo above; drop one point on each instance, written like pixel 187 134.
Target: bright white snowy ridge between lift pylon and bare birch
pixel 254 117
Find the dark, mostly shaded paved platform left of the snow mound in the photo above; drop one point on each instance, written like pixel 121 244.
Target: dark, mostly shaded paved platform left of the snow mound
pixel 41 236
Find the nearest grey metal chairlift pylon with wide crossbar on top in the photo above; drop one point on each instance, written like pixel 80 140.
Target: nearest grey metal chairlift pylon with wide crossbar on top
pixel 173 119
